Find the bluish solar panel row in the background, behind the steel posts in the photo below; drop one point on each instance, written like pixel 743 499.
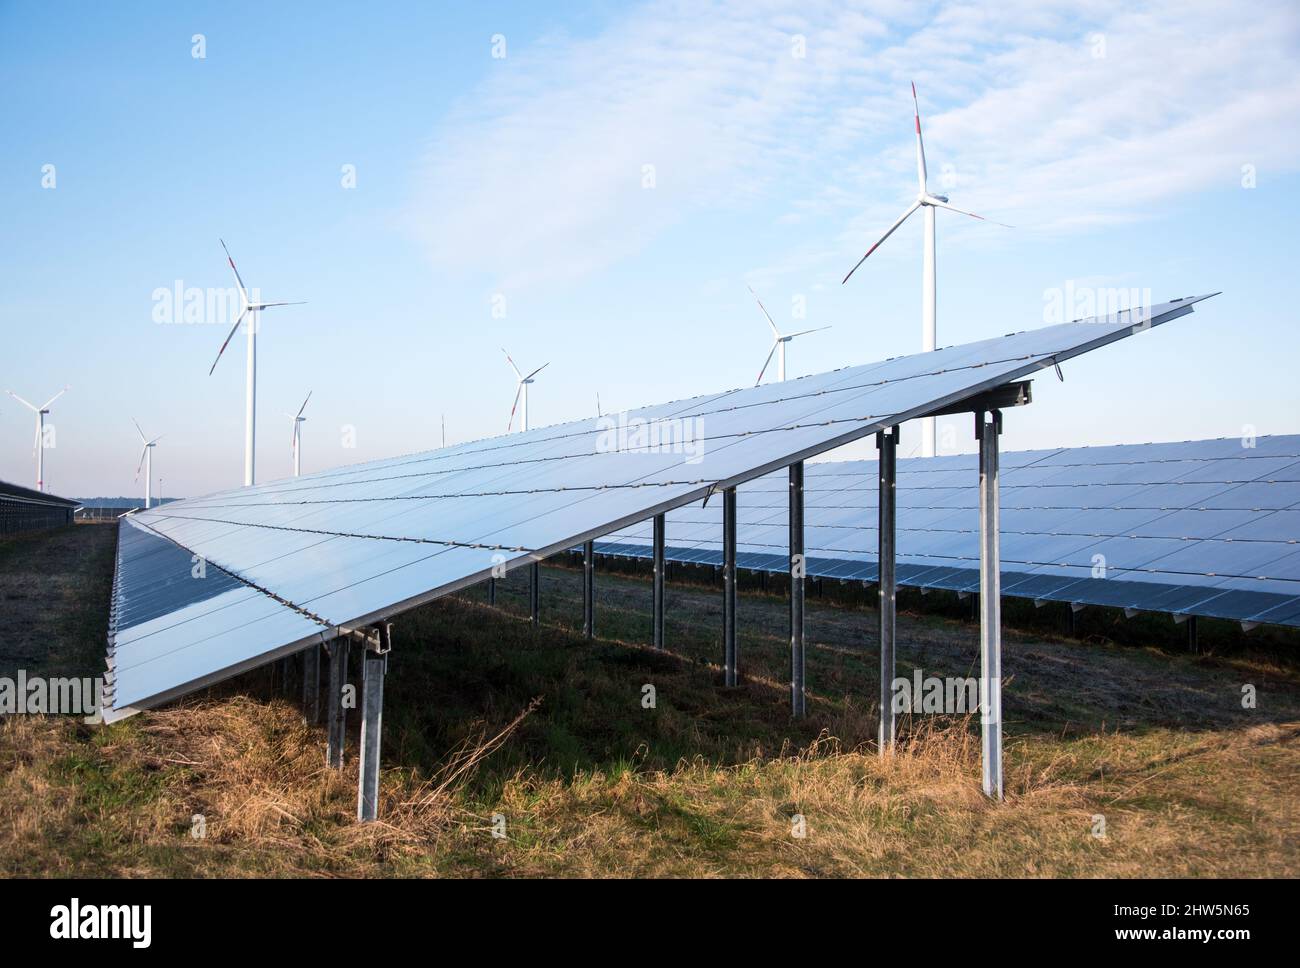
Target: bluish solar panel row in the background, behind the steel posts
pixel 1206 528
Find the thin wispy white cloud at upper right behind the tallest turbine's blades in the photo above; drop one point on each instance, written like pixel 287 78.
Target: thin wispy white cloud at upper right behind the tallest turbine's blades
pixel 539 175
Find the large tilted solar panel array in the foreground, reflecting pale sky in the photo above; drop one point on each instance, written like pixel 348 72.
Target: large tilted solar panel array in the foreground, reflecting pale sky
pixel 346 548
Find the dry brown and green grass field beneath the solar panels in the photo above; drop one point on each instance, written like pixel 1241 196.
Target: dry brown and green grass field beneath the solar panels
pixel 493 727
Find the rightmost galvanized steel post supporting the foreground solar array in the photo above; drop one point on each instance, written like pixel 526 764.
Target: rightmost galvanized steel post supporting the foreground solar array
pixel 991 602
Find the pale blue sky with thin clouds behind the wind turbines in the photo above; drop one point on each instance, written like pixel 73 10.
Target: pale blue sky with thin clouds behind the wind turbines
pixel 1112 136
